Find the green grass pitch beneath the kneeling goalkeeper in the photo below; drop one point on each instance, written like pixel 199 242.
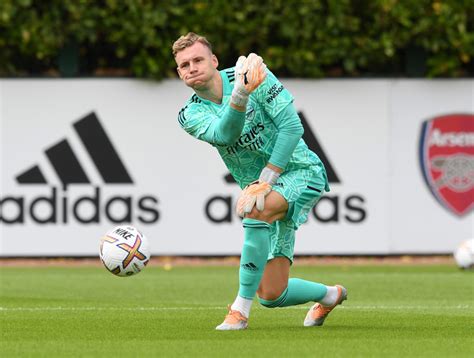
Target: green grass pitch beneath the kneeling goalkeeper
pixel 391 311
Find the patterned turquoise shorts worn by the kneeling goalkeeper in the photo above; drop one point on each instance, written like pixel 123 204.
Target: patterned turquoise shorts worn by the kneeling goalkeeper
pixel 302 189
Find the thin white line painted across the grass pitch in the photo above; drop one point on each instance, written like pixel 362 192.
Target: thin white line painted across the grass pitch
pixel 136 309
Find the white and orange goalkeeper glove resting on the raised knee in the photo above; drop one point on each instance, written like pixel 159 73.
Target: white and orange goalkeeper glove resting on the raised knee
pixel 254 194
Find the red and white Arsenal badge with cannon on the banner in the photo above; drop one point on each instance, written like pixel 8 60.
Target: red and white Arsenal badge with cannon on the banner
pixel 447 160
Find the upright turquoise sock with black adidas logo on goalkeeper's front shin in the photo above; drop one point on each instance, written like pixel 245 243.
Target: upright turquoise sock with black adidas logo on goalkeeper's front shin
pixel 254 256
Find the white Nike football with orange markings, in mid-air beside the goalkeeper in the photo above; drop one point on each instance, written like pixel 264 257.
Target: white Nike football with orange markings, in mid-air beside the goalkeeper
pixel 124 251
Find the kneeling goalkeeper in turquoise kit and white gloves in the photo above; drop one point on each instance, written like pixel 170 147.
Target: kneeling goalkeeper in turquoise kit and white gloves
pixel 249 117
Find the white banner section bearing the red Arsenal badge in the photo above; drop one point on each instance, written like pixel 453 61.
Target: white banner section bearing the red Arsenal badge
pixel 435 220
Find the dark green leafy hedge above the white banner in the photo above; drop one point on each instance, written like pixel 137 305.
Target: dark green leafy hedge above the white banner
pixel 311 39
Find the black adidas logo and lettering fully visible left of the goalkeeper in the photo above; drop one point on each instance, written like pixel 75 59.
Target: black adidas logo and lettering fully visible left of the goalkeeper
pixel 55 205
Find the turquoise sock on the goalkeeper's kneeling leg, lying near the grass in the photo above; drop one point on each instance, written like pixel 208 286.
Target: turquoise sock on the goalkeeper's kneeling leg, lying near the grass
pixel 298 292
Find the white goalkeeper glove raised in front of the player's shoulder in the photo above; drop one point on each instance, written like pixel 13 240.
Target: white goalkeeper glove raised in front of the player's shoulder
pixel 249 74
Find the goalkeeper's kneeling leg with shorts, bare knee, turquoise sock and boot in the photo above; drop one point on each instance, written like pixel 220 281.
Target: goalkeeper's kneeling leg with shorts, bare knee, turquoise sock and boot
pixel 305 187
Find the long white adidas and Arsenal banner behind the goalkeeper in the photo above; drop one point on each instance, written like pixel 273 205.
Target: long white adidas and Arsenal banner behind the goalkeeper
pixel 81 156
